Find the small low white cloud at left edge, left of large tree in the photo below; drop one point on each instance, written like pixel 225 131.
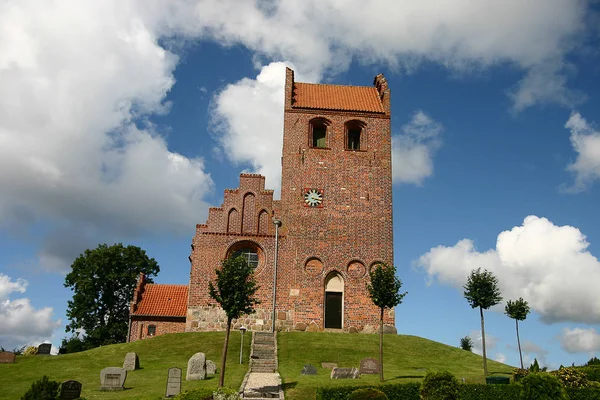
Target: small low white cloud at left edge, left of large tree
pixel 20 322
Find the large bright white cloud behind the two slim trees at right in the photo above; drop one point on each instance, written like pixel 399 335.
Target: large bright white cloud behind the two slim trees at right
pixel 547 265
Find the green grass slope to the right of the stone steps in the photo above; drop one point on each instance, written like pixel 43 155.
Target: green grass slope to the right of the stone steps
pixel 406 358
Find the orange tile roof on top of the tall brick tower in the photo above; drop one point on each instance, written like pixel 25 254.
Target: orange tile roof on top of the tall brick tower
pixel 337 97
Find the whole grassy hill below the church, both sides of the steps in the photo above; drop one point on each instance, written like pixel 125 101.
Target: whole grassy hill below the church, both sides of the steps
pixel 406 359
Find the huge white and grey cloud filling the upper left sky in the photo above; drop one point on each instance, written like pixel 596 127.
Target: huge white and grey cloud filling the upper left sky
pixel 78 80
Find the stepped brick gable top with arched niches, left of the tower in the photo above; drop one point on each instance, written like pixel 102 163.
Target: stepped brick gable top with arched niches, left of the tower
pixel 246 210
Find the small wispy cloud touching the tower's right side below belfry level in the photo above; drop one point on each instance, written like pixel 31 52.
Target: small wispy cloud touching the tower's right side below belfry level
pixel 413 150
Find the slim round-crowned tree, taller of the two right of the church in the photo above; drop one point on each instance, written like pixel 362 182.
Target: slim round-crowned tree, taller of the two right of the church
pixel 481 290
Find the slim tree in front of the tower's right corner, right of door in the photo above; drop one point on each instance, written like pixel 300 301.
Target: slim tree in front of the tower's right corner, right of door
pixel 384 291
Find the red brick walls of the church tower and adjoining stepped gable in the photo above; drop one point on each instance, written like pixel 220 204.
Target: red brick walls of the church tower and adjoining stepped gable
pixel 347 235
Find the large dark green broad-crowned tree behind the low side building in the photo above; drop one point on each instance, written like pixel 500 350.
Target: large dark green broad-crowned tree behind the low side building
pixel 103 281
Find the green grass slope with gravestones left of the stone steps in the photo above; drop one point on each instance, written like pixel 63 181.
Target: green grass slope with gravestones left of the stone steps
pixel 156 355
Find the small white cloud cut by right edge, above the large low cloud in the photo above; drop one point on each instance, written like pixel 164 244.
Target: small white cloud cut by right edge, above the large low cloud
pixel 585 139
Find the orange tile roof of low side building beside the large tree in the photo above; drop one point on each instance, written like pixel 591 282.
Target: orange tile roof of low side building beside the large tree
pixel 163 300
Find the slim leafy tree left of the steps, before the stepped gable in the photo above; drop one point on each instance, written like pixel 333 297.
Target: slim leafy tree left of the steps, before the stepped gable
pixel 234 291
